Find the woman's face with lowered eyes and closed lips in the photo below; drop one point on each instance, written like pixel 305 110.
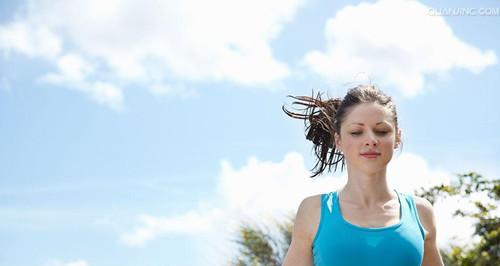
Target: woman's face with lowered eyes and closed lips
pixel 368 128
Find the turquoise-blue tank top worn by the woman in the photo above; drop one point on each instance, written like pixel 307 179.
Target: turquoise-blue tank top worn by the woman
pixel 340 243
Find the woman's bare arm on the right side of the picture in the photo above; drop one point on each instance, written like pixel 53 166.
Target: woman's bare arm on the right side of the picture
pixel 432 257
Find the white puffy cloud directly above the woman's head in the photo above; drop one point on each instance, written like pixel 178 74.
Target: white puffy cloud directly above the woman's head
pixel 396 43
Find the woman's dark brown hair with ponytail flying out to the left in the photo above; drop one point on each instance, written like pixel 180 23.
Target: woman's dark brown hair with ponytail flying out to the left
pixel 323 118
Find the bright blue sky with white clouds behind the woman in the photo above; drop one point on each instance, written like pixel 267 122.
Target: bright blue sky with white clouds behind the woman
pixel 140 133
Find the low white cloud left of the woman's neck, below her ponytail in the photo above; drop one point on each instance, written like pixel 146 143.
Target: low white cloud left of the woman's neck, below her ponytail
pixel 280 187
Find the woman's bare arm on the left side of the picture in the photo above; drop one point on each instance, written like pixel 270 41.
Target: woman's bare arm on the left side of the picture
pixel 300 250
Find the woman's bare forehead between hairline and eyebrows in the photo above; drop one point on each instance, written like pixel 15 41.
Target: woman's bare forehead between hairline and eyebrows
pixel 368 114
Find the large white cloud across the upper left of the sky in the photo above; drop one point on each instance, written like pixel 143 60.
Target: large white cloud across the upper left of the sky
pixel 156 42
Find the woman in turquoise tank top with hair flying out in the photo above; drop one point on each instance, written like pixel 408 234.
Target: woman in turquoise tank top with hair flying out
pixel 366 222
